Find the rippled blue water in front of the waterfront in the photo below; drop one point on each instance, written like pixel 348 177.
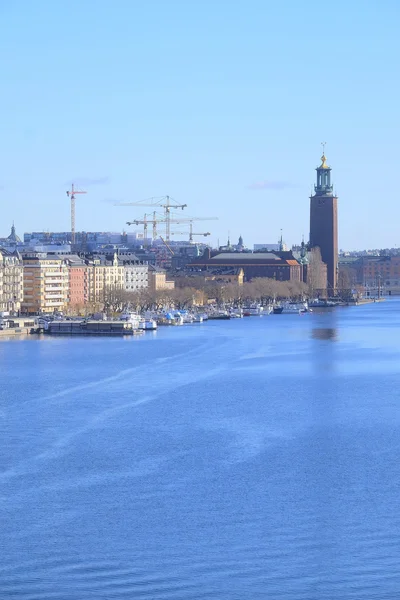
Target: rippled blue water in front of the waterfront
pixel 254 458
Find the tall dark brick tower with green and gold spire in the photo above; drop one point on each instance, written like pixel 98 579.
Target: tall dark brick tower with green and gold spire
pixel 323 223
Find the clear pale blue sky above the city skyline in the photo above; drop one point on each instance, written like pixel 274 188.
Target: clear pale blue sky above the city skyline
pixel 220 104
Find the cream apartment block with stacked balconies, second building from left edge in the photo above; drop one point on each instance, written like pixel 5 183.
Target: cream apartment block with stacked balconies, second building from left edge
pixel 45 282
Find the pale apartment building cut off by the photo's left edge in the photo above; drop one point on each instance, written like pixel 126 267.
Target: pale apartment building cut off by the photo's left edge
pixel 11 280
